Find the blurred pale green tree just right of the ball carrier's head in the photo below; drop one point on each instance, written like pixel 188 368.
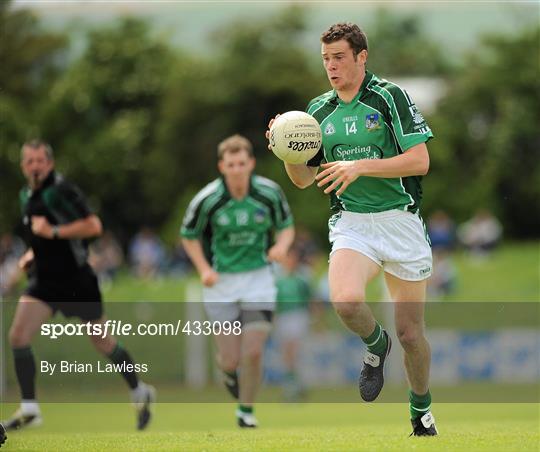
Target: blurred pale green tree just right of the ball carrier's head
pixel 400 45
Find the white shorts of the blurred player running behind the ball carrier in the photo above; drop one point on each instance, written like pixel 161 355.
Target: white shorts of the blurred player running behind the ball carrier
pixel 244 291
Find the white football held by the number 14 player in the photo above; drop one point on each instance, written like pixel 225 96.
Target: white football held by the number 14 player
pixel 295 137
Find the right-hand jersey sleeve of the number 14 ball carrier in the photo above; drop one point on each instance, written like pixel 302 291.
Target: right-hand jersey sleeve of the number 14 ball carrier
pixel 409 125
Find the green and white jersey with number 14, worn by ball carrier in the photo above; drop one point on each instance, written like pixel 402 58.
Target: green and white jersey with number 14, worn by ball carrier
pixel 380 122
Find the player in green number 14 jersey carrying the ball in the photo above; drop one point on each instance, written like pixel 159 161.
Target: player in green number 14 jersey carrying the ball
pixel 372 158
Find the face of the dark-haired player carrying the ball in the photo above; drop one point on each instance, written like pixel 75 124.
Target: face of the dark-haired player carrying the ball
pixel 343 69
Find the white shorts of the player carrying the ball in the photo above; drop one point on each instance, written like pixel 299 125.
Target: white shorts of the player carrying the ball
pixel 395 240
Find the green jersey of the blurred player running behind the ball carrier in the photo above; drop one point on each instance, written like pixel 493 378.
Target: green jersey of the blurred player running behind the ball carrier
pixel 237 233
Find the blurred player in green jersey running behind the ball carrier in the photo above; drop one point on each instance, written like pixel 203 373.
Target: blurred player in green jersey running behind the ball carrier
pixel 227 233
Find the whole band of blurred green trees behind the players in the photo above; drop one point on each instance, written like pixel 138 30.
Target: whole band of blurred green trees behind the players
pixel 135 121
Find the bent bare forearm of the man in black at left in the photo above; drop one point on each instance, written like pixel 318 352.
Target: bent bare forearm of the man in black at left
pixel 82 228
